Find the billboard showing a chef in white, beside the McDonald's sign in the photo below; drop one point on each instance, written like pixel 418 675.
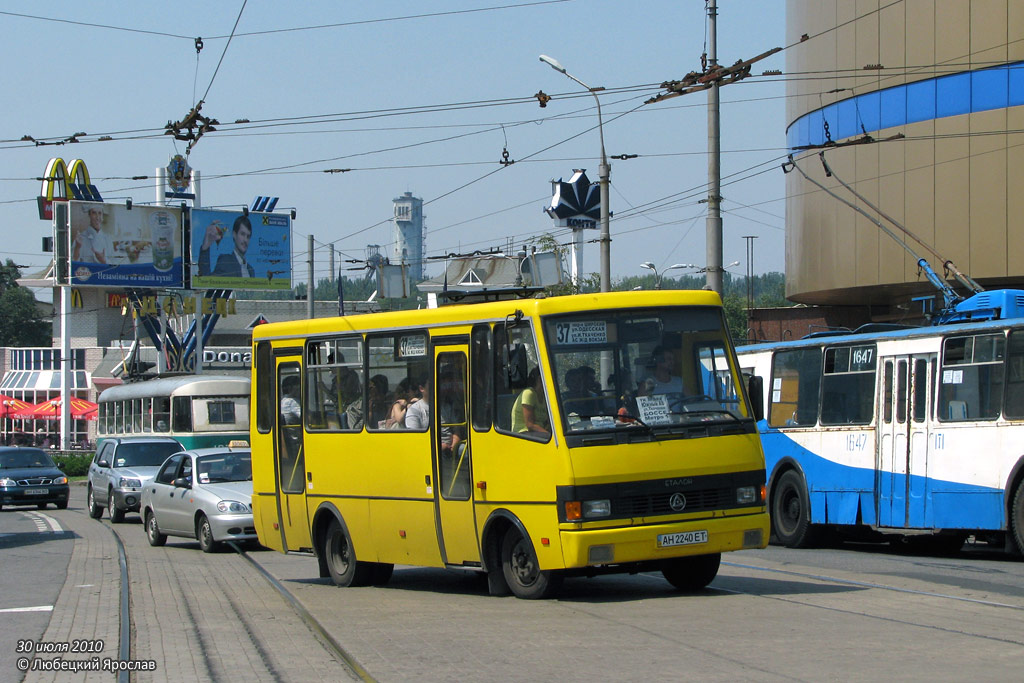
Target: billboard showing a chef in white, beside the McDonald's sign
pixel 114 246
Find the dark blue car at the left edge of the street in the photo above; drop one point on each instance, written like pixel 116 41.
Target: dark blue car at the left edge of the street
pixel 29 477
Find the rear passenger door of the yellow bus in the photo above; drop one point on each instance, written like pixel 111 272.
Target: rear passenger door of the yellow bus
pixel 290 468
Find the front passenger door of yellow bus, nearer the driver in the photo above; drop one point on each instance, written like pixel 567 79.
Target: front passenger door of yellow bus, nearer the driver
pixel 453 458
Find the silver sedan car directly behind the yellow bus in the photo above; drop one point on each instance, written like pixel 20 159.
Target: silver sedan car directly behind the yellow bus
pixel 205 494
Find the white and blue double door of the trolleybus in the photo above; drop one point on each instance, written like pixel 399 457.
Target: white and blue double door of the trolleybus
pixel 903 438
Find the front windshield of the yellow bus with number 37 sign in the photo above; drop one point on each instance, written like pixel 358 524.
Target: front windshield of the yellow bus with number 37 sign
pixel 644 368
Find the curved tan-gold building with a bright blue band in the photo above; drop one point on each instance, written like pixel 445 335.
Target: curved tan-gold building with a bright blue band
pixel 948 76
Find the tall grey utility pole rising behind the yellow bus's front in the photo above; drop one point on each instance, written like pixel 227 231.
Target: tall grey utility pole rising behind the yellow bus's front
pixel 714 232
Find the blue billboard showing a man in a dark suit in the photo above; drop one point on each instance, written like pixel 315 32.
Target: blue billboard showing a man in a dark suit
pixel 237 250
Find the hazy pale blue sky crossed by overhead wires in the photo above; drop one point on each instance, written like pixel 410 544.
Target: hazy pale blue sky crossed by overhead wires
pixel 410 97
